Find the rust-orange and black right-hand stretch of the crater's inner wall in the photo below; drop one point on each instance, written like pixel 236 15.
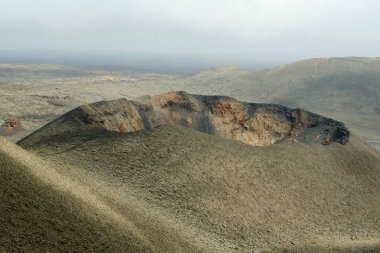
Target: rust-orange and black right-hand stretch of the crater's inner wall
pixel 254 124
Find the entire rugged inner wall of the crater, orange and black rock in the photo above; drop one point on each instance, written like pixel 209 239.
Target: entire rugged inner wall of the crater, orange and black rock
pixel 254 124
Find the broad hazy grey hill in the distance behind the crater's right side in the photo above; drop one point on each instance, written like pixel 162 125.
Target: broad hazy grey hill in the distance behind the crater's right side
pixel 336 85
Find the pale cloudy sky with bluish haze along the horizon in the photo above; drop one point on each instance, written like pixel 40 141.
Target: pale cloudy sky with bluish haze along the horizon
pixel 220 32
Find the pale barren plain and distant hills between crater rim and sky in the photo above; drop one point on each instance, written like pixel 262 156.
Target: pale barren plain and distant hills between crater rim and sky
pixel 345 89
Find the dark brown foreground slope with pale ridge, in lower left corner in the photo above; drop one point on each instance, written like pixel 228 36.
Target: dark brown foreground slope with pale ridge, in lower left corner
pixel 43 210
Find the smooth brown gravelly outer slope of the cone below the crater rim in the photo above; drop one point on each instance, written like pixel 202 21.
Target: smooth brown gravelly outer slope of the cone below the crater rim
pixel 188 191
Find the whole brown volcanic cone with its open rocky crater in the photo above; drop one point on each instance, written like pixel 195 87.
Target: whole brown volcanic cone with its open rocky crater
pixel 182 190
